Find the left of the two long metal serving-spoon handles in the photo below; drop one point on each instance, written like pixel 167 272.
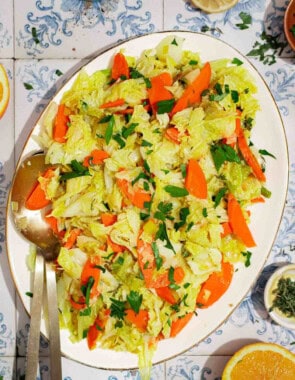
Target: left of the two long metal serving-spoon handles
pixel 34 335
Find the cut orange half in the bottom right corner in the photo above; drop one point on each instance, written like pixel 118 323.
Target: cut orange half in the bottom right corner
pixel 265 361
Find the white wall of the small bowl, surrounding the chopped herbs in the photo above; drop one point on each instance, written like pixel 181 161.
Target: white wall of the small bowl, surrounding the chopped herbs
pixel 287 270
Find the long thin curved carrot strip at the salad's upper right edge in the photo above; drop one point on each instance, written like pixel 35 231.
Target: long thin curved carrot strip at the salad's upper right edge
pixel 247 153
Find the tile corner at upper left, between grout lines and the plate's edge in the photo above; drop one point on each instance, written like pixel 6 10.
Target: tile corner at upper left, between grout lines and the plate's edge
pixel 36 83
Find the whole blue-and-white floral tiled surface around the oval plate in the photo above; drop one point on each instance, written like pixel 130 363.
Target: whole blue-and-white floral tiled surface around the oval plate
pixel 50 40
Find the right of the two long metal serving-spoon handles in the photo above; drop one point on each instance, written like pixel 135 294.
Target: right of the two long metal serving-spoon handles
pixel 54 337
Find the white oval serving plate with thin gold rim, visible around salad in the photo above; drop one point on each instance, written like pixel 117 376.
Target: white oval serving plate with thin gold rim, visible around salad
pixel 268 134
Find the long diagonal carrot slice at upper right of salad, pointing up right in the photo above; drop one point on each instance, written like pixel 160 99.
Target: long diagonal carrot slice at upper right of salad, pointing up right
pixel 192 94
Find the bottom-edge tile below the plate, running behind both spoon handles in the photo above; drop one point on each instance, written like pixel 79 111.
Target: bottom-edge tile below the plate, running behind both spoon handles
pixel 75 371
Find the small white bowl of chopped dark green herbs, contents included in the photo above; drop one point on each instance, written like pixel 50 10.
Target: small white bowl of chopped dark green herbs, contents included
pixel 279 296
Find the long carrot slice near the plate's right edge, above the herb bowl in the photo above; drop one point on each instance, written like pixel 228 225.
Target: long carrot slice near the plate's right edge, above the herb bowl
pixel 238 223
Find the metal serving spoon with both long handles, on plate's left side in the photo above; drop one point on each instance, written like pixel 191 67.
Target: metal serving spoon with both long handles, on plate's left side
pixel 32 225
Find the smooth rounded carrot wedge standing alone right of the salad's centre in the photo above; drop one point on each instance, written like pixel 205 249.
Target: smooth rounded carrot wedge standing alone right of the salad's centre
pixel 195 181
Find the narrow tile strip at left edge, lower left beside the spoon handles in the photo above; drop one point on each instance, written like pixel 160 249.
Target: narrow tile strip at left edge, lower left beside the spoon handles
pixel 7 293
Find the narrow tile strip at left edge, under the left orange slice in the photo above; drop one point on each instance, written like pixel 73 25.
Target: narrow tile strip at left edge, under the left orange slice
pixel 7 137
